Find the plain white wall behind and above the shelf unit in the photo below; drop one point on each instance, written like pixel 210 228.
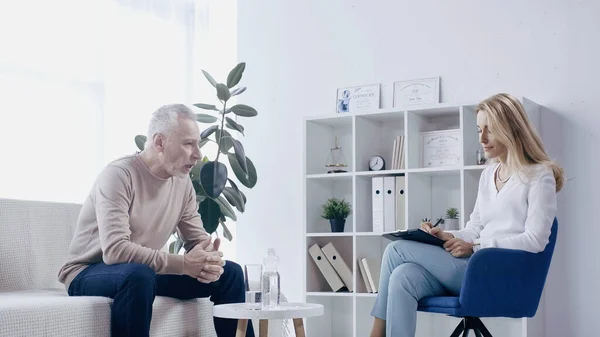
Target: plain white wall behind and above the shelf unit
pixel 299 52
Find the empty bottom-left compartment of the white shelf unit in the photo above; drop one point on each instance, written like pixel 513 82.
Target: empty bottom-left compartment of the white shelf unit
pixel 337 319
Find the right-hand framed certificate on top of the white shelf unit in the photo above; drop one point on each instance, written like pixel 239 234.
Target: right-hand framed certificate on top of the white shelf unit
pixel 416 92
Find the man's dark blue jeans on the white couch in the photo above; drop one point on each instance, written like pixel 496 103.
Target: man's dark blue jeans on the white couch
pixel 133 287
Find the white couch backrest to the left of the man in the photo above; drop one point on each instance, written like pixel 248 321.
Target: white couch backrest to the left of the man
pixel 34 242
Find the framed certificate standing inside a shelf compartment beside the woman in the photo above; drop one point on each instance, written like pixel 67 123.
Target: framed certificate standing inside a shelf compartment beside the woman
pixel 441 148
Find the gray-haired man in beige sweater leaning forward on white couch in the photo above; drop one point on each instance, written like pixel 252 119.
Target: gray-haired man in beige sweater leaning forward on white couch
pixel 134 206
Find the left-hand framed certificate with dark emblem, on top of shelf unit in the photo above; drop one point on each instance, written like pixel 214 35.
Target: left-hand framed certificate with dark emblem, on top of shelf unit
pixel 358 99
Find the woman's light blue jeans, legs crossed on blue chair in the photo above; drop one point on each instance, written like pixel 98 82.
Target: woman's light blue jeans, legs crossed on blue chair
pixel 411 271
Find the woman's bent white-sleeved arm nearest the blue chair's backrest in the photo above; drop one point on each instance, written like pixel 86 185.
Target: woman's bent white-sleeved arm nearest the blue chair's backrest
pixel 541 211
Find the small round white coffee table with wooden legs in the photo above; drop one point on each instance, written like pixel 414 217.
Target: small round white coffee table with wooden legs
pixel 295 311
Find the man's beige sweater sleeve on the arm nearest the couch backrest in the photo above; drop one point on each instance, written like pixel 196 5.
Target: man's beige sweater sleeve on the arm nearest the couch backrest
pixel 113 194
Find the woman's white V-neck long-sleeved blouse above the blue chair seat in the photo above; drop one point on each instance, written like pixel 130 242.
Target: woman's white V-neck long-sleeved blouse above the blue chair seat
pixel 520 216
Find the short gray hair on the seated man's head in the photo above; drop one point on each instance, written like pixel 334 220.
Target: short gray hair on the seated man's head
pixel 164 120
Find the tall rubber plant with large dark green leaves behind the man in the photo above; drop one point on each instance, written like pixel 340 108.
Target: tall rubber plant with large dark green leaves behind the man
pixel 217 194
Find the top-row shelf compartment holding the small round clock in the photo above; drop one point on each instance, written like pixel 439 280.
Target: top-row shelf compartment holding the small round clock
pixel 375 135
